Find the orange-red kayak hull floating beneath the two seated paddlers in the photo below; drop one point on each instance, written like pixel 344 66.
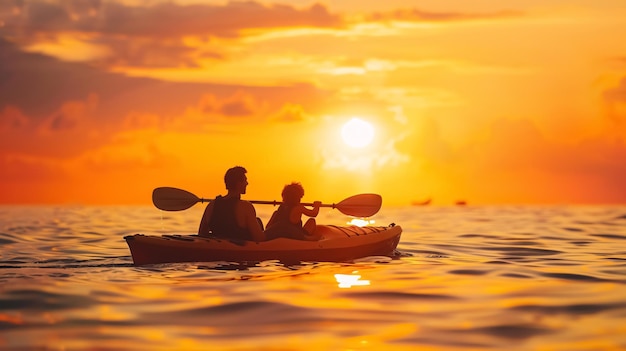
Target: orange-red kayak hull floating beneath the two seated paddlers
pixel 337 244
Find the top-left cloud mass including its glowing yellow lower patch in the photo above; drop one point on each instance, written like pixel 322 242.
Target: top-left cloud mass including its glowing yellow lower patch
pixel 112 34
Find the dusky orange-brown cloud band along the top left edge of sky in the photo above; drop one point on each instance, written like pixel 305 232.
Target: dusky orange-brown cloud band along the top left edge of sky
pixel 162 20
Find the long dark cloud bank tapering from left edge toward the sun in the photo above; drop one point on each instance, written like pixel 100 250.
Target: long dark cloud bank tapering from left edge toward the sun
pixel 35 88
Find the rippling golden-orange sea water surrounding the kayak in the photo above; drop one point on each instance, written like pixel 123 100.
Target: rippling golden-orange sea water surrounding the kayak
pixel 465 278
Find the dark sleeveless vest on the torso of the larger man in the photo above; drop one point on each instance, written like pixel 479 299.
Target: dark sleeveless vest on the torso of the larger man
pixel 223 222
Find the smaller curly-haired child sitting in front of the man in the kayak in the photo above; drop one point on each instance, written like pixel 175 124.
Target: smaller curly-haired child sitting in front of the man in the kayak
pixel 286 221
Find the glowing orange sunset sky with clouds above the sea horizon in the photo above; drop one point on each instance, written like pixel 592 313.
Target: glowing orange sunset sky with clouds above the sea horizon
pixel 494 102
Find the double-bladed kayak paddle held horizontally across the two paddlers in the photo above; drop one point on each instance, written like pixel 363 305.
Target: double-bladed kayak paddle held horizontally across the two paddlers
pixel 174 199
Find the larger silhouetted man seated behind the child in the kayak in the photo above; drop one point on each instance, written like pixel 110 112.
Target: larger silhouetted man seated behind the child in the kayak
pixel 228 216
